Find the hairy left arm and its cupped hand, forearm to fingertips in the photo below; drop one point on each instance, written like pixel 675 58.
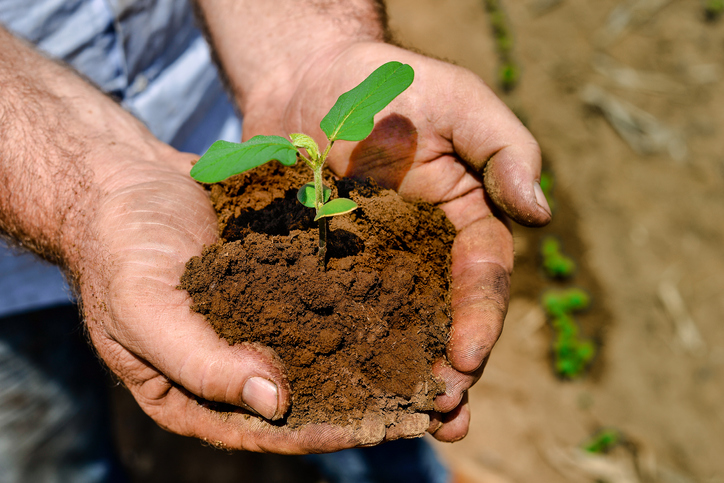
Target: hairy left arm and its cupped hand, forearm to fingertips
pixel 88 186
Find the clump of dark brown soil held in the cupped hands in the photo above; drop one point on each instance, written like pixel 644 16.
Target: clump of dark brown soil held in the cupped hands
pixel 358 338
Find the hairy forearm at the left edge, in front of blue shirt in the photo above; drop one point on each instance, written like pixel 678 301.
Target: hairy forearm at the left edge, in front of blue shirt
pixel 60 143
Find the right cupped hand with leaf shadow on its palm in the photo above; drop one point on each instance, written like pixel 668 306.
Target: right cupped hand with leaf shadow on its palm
pixel 450 141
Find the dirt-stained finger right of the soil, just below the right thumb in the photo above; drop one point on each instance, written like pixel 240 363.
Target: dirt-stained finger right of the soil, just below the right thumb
pixel 482 260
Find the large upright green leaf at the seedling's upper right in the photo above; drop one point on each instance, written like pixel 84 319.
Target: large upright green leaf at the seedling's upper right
pixel 352 116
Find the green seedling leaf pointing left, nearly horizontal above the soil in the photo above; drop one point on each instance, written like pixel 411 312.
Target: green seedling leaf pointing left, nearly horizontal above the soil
pixel 225 159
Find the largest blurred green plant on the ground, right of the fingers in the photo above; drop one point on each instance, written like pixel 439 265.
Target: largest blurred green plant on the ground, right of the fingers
pixel 571 353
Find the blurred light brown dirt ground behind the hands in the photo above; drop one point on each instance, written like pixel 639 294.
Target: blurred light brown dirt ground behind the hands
pixel 644 222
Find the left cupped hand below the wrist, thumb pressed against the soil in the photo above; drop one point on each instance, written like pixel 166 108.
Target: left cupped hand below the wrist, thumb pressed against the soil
pixel 149 220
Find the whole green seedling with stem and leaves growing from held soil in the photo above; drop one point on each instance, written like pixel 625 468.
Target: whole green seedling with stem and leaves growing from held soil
pixel 350 119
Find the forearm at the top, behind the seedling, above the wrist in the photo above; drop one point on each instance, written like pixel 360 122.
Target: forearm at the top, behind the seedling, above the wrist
pixel 265 47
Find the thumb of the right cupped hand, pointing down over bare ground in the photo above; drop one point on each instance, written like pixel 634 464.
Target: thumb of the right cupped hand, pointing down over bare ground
pixel 494 142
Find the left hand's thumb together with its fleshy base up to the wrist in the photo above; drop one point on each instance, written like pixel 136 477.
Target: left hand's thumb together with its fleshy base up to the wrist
pixel 146 314
